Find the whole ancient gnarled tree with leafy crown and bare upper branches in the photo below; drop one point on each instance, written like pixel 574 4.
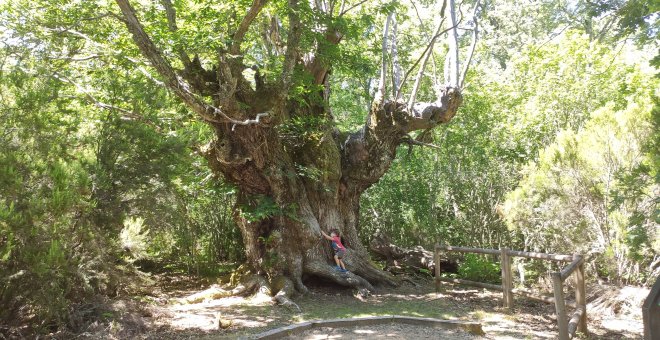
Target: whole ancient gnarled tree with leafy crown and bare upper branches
pixel 265 90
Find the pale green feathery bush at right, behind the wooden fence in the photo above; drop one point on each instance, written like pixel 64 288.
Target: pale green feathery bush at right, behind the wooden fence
pixel 577 197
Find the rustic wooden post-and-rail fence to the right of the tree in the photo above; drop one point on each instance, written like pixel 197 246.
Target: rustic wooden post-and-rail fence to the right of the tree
pixel 567 327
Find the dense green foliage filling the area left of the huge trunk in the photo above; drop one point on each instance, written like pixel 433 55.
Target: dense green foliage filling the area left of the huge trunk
pixel 90 147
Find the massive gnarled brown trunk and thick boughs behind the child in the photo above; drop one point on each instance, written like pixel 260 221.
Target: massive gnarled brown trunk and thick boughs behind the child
pixel 296 173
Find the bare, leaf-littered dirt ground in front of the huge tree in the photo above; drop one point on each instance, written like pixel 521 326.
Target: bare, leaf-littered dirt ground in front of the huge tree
pixel 161 314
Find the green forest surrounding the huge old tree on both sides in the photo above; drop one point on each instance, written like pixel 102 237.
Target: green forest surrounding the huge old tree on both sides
pixel 555 148
